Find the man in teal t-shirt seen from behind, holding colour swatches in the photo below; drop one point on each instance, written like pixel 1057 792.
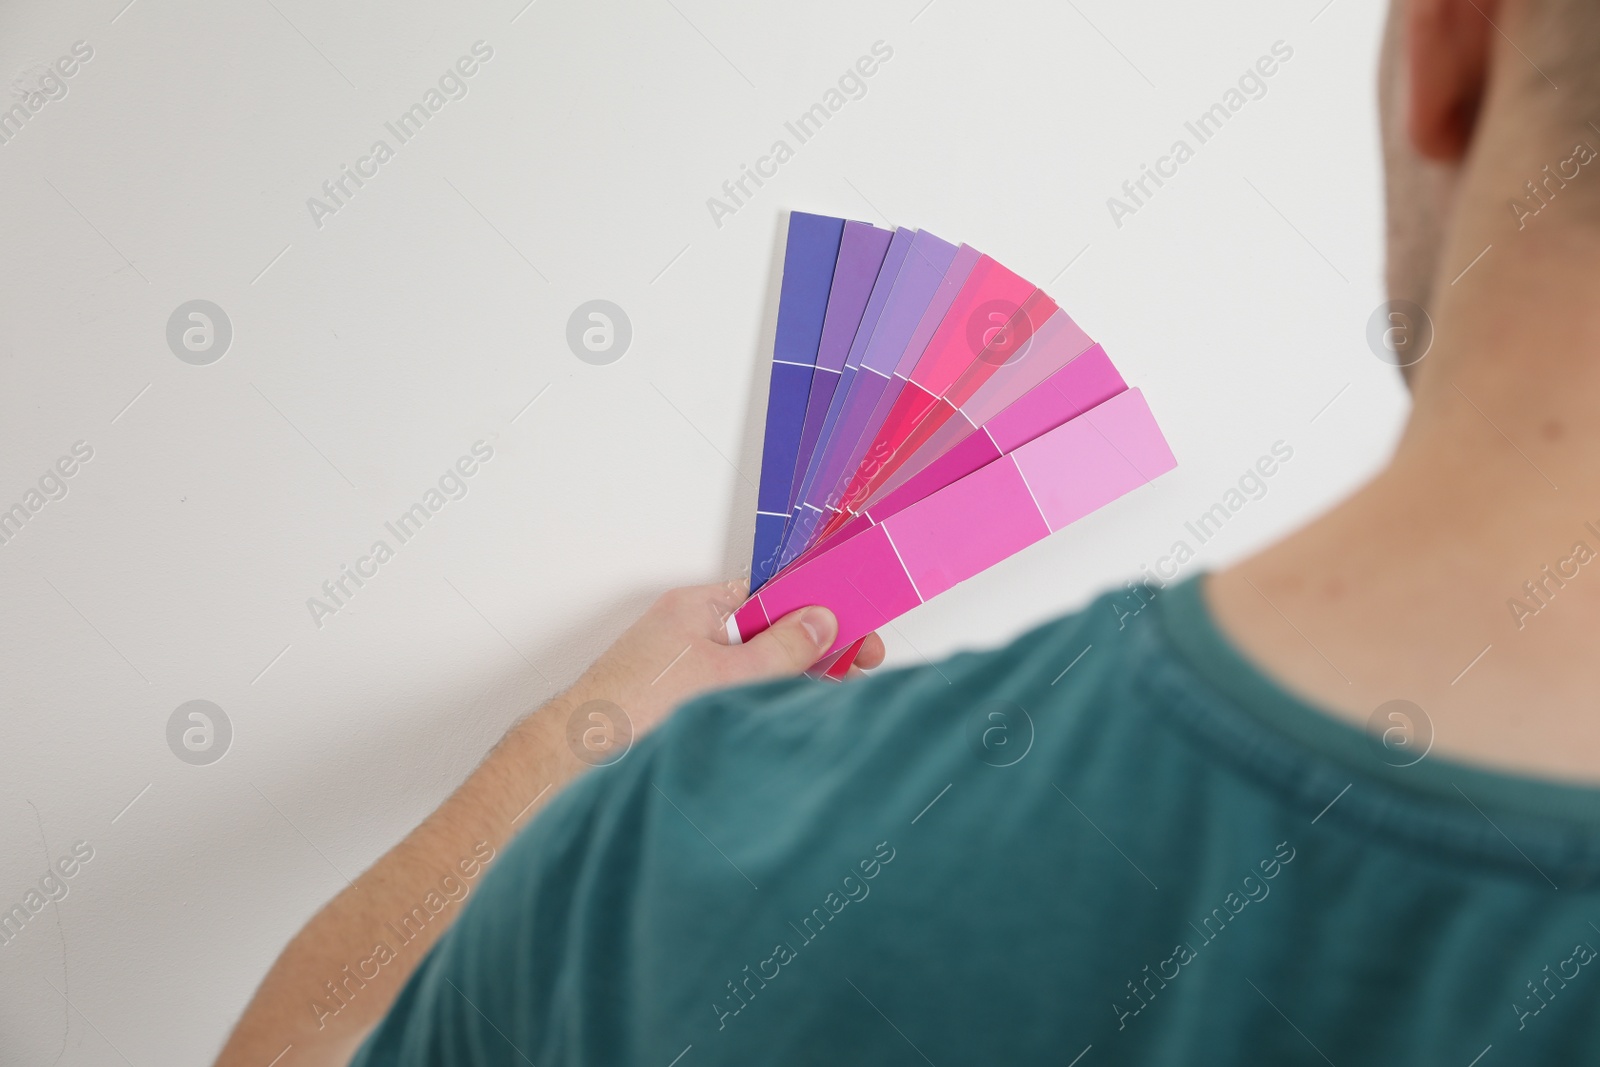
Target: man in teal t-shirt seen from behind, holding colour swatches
pixel 1201 831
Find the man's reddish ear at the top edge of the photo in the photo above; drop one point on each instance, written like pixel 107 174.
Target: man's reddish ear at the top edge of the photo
pixel 1449 47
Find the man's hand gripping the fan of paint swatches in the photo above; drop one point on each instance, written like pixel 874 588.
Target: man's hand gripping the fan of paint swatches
pixel 681 649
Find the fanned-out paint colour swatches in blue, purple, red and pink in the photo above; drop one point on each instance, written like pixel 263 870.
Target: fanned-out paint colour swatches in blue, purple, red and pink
pixel 930 414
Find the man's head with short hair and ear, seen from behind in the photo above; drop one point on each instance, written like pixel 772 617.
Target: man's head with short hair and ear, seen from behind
pixel 1476 98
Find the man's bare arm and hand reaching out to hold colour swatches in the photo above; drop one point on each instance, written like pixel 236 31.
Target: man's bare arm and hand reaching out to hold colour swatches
pixel 678 650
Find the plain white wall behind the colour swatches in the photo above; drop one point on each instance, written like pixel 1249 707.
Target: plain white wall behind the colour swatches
pixel 372 351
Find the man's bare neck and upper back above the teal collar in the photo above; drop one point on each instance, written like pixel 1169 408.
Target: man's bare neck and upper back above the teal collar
pixel 1466 577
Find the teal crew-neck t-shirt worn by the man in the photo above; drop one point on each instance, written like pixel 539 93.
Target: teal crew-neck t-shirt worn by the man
pixel 1110 842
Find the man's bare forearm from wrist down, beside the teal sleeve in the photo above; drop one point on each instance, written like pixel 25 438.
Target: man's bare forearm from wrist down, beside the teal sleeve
pixel 348 965
